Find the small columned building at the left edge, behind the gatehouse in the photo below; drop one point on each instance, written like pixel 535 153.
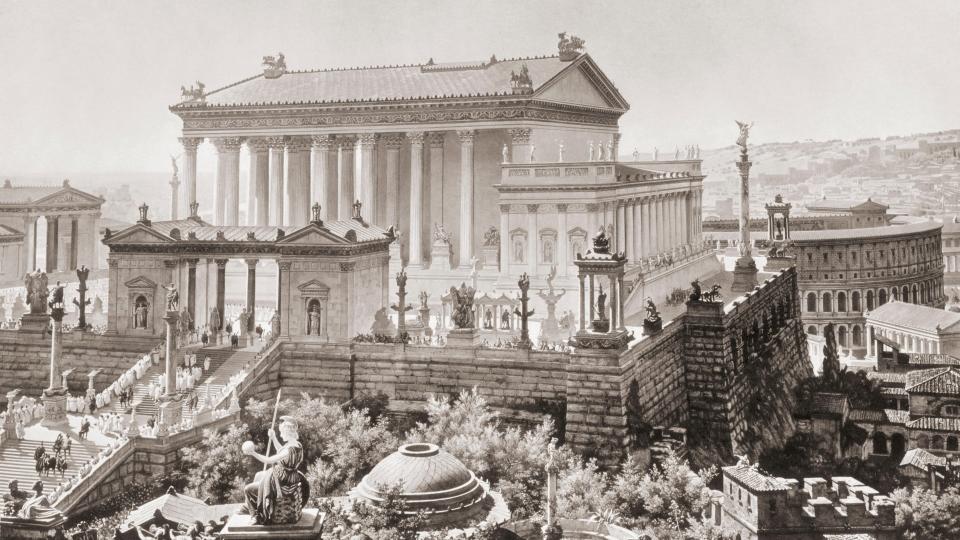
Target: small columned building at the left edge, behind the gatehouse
pixel 70 217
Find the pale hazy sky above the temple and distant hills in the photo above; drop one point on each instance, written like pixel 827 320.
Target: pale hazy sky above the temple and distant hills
pixel 86 85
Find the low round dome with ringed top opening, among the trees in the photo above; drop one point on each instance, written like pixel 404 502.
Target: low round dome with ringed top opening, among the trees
pixel 436 483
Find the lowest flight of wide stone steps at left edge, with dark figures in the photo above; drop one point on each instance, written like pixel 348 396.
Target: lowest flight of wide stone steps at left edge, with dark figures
pixel 16 462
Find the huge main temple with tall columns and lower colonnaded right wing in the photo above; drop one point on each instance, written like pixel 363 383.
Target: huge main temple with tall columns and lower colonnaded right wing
pixel 504 166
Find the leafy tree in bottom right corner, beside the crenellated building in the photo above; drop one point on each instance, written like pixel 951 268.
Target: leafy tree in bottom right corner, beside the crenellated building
pixel 924 514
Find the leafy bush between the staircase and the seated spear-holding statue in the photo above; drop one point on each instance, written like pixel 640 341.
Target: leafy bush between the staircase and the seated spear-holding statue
pixel 219 470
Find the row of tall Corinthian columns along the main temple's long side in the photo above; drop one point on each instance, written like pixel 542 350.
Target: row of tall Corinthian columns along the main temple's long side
pixel 314 165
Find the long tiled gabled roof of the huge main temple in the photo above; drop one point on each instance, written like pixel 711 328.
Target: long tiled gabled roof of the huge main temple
pixel 409 82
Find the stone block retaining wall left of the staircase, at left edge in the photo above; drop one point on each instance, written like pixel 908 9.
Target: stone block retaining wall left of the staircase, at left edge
pixel 25 359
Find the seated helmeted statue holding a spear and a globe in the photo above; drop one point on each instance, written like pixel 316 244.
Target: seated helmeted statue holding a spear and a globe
pixel 279 492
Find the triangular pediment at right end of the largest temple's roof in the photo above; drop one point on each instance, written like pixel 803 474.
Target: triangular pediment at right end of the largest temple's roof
pixel 582 83
